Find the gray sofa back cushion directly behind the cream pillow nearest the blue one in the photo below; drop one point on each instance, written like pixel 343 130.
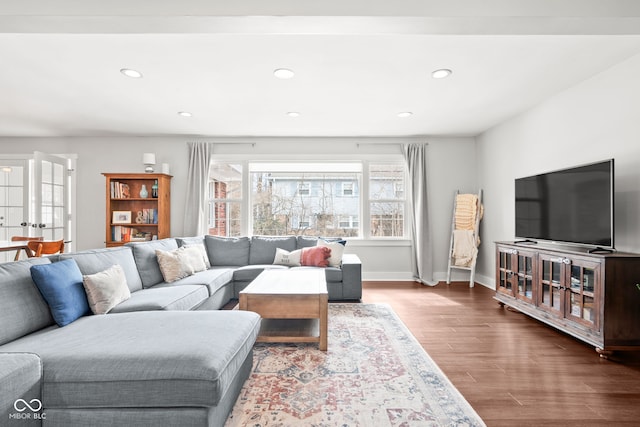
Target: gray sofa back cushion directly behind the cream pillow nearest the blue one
pixel 96 260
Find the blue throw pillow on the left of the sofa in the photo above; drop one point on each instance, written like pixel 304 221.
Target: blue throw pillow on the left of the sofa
pixel 60 283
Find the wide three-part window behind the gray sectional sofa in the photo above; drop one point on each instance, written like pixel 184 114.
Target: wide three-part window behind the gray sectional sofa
pixel 313 199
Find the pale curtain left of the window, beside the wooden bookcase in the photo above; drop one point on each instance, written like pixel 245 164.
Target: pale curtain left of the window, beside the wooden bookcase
pixel 195 214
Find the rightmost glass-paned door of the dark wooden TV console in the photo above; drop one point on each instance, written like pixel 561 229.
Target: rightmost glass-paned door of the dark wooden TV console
pixel 582 292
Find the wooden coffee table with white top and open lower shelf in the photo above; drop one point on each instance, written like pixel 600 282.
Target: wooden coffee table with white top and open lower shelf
pixel 293 305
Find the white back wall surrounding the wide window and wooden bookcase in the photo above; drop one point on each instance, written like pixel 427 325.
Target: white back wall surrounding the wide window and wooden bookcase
pixel 451 167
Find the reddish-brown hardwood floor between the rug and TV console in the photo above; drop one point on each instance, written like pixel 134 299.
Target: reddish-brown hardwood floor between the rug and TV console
pixel 513 370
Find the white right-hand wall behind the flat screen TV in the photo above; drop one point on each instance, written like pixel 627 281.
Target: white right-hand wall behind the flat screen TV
pixel 594 120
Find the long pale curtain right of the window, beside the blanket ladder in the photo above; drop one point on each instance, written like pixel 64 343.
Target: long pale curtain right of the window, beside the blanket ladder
pixel 415 156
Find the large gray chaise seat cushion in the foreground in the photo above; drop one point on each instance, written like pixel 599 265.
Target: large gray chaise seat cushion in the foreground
pixel 151 359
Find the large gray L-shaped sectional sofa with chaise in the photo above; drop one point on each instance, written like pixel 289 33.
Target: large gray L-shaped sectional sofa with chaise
pixel 165 356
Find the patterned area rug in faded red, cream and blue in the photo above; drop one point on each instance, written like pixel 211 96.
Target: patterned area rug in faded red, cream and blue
pixel 375 373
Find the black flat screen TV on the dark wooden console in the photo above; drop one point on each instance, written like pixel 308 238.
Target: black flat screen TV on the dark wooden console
pixel 573 205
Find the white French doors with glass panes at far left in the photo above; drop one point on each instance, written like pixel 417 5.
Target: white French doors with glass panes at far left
pixel 35 198
